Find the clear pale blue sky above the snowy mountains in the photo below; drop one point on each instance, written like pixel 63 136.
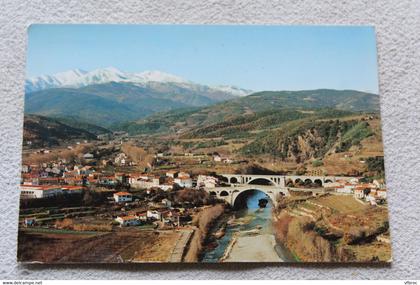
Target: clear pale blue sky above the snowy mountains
pixel 253 57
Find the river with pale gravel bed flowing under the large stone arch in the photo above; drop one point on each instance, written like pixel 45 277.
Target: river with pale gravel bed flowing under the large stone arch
pixel 249 236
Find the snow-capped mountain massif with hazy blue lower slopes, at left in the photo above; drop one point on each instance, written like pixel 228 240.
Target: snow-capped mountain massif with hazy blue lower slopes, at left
pixel 107 96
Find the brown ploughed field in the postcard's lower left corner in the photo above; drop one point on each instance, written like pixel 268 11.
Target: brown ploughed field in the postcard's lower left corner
pixel 74 247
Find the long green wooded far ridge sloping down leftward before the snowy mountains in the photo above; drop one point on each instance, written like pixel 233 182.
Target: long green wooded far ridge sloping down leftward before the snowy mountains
pixel 269 107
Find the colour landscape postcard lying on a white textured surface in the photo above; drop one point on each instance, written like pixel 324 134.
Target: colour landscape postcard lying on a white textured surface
pixel 202 143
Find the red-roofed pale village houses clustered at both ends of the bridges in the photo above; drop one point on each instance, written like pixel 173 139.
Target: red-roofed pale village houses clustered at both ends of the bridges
pixel 64 178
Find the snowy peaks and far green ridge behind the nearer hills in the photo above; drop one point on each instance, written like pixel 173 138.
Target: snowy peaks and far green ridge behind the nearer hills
pixel 154 101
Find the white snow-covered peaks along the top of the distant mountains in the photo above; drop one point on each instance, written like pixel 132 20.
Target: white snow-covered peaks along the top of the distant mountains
pixel 78 78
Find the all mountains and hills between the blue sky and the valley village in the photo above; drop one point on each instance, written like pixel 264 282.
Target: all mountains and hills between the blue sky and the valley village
pixel 293 125
